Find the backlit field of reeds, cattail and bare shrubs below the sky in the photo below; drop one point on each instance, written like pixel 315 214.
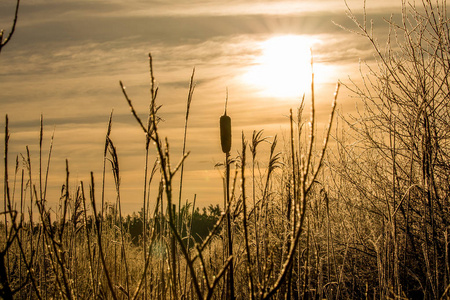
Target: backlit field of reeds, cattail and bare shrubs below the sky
pixel 360 212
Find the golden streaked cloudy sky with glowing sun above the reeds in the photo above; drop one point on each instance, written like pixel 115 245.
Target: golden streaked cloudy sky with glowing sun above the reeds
pixel 67 57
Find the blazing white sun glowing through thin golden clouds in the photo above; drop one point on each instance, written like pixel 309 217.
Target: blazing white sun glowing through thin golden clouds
pixel 284 67
